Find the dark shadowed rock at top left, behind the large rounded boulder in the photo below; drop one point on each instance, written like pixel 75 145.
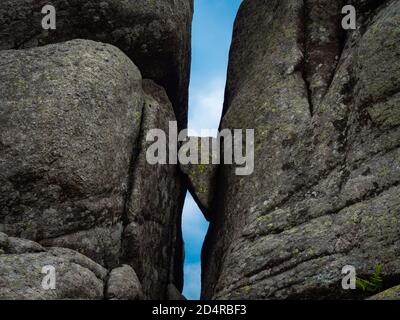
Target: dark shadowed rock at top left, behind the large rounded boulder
pixel 155 34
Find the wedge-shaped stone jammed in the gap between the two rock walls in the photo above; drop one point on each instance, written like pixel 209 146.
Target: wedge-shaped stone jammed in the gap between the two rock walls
pixel 201 175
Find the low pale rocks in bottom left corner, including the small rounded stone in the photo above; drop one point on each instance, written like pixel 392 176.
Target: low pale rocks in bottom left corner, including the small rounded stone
pixel 26 267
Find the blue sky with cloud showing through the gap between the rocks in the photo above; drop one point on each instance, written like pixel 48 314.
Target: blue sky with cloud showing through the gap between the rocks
pixel 211 38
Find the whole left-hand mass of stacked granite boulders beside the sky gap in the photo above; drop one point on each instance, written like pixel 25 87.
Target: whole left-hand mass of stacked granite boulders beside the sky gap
pixel 74 179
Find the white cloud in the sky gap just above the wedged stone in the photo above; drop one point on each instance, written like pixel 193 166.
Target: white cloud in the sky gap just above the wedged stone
pixel 206 107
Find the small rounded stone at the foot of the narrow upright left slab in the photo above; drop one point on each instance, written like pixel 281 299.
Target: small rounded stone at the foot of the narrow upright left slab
pixel 123 284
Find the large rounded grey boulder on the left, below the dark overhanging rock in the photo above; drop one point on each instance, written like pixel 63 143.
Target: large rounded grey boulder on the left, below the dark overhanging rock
pixel 69 118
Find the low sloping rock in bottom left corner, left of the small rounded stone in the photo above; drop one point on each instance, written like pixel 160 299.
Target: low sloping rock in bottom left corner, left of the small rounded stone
pixel 76 276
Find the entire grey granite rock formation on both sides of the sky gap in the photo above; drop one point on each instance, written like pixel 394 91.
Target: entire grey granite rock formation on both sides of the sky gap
pixel 78 194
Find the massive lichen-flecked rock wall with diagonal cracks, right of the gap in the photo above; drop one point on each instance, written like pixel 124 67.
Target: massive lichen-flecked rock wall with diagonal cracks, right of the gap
pixel 325 190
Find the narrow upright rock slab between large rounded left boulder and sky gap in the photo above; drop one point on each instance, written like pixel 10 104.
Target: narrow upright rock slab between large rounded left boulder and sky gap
pixel 152 239
